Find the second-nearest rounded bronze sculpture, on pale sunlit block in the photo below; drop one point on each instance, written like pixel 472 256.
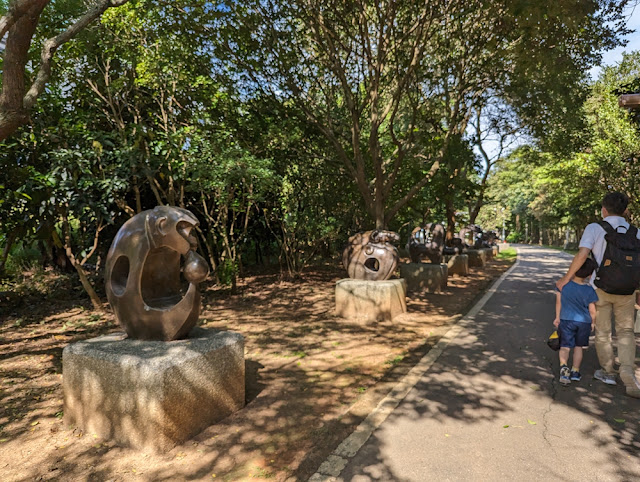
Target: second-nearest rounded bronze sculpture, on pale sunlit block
pixel 371 256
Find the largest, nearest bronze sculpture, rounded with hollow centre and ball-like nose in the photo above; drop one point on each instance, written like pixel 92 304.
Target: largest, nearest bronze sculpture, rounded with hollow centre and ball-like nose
pixel 143 274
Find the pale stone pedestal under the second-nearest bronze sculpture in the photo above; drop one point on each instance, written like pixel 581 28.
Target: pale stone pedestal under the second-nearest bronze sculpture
pixel 365 301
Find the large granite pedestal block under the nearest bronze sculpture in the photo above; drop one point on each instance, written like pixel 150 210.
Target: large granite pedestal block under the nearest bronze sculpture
pixel 153 395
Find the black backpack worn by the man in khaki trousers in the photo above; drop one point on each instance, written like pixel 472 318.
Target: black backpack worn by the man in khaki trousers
pixel 619 272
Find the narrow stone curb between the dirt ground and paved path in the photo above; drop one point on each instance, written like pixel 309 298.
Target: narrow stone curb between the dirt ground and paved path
pixel 330 469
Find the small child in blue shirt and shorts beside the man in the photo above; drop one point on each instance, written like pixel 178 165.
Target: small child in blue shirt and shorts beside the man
pixel 575 319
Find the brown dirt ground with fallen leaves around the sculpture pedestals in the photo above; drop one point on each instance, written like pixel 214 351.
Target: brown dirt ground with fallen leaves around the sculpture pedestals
pixel 310 378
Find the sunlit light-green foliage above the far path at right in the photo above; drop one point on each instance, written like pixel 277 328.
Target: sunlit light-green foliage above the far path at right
pixel 561 188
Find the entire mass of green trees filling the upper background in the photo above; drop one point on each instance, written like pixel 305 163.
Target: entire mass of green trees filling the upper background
pixel 288 126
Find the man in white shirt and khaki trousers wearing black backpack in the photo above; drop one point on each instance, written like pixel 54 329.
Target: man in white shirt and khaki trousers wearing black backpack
pixel 615 246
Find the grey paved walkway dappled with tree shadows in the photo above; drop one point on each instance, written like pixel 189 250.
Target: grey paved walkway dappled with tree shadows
pixel 490 408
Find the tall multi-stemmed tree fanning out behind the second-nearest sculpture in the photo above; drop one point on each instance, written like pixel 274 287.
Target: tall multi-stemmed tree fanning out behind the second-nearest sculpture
pixel 390 84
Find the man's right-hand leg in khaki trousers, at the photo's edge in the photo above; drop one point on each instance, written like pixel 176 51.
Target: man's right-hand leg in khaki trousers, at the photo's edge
pixel 623 311
